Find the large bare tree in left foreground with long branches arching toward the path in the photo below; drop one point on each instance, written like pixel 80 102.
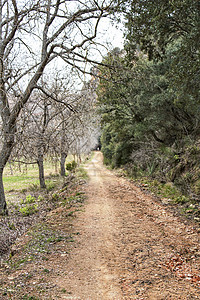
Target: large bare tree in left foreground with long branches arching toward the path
pixel 33 34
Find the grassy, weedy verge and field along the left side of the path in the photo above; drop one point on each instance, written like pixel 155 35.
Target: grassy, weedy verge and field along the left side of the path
pixel 39 224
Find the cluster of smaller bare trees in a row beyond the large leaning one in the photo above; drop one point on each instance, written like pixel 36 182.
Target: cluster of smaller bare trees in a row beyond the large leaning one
pixel 55 123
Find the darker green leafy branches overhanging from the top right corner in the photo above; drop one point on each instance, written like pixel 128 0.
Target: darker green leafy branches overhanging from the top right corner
pixel 154 25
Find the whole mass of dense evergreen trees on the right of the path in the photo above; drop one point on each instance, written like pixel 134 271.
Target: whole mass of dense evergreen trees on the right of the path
pixel 149 97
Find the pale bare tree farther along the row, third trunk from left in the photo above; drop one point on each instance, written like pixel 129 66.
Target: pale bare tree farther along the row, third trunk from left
pixel 76 123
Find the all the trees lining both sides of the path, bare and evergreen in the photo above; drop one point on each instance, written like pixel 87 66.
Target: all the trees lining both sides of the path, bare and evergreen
pixel 146 95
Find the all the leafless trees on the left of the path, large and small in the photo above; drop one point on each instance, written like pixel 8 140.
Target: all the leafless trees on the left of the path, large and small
pixel 45 100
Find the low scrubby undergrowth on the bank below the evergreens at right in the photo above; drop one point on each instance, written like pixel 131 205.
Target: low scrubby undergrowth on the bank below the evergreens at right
pixel 174 179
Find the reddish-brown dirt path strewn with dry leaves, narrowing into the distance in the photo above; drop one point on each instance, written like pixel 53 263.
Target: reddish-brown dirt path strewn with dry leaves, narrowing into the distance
pixel 128 246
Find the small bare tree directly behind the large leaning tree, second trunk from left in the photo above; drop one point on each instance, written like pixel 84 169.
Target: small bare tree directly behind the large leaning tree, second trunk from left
pixel 34 133
